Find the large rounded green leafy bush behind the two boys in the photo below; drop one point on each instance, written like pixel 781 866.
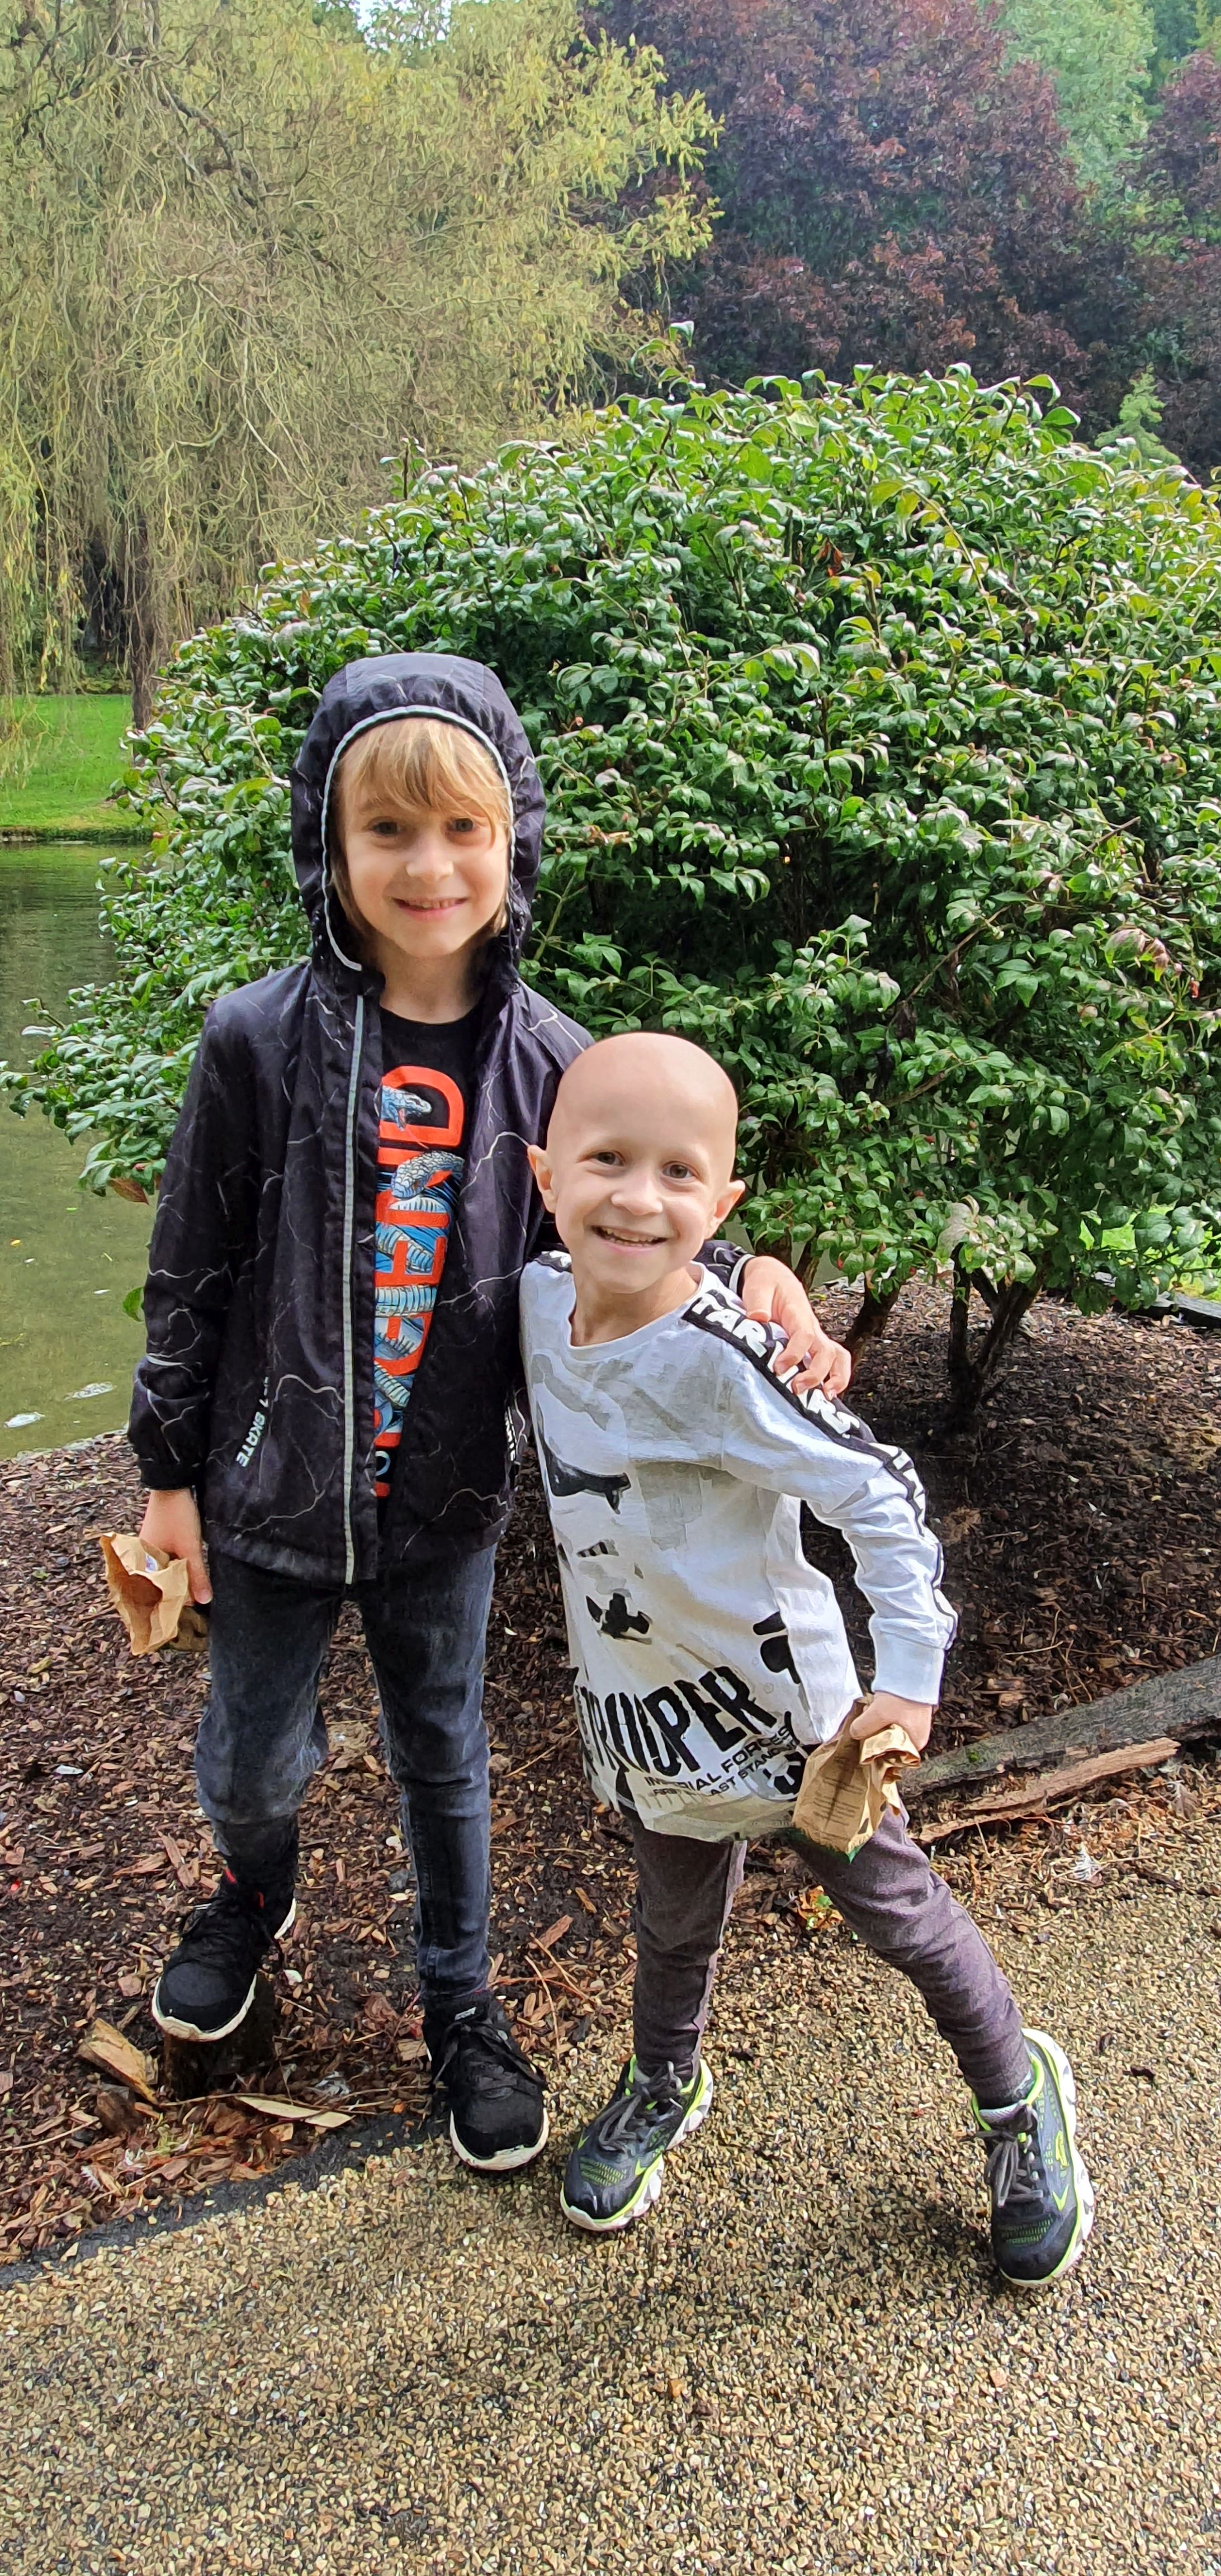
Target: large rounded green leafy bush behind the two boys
pixel 882 738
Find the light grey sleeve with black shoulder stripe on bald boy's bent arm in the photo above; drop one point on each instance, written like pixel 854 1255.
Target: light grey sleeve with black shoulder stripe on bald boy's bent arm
pixel 826 1457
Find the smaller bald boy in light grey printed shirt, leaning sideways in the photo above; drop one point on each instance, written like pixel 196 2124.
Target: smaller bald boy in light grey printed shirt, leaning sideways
pixel 710 1655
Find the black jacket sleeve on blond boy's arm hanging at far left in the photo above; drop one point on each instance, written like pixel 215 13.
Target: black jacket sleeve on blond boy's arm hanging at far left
pixel 205 1225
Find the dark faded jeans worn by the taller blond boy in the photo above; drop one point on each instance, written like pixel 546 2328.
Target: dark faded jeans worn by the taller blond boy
pixel 261 1738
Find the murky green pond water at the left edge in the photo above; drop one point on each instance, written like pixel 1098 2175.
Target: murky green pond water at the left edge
pixel 66 1256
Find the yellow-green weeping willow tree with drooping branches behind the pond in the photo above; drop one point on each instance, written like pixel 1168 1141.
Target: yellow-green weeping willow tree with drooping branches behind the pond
pixel 254 249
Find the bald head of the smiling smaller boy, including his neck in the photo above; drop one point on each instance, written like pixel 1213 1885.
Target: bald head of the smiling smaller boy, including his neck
pixel 638 1176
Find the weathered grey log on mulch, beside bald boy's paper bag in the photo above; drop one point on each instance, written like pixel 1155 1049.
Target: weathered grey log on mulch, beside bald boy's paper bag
pixel 1171 1704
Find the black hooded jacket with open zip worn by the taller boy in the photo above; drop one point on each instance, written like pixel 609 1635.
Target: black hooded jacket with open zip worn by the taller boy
pixel 259 1377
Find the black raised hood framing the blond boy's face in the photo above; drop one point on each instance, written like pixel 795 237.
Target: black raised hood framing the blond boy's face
pixel 377 692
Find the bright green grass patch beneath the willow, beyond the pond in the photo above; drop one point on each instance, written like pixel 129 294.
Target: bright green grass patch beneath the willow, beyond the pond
pixel 68 761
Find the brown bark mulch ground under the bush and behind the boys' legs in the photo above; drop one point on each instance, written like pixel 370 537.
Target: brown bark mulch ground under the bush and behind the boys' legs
pixel 1081 1524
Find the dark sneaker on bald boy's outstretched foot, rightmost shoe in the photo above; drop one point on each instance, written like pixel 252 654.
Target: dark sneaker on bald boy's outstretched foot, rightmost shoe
pixel 1042 2196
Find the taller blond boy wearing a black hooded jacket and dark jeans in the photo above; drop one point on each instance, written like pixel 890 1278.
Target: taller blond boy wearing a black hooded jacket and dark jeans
pixel 334 1338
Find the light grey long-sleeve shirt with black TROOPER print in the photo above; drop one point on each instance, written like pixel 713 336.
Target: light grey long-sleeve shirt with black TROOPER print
pixel 710 1655
